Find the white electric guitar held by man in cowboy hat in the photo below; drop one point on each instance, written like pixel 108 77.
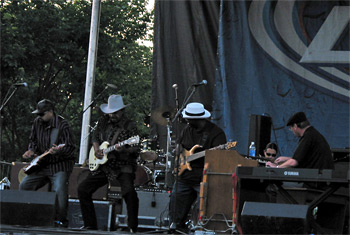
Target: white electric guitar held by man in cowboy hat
pixel 94 162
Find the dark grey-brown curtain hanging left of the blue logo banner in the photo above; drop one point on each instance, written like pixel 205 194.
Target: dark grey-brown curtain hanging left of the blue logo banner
pixel 185 46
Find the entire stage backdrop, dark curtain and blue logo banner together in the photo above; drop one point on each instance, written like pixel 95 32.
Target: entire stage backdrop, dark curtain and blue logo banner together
pixel 262 57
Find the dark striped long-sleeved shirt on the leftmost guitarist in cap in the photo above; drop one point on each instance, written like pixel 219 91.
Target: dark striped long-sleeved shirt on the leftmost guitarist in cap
pixel 40 140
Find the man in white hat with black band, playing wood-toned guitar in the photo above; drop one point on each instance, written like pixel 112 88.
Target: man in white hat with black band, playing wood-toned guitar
pixel 198 131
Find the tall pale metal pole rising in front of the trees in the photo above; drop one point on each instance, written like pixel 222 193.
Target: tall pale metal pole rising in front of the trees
pixel 90 78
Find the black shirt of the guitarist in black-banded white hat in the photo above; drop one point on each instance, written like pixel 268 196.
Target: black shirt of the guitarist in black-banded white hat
pixel 210 136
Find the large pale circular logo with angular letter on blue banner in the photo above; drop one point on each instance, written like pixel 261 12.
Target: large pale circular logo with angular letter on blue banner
pixel 283 34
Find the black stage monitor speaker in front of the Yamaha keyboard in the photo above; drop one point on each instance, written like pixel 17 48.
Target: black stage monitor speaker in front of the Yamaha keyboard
pixel 273 218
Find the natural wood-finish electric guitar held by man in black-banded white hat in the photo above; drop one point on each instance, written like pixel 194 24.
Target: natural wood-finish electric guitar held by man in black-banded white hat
pixel 189 156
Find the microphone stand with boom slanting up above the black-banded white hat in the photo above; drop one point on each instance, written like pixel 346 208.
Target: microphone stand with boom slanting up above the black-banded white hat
pixel 173 225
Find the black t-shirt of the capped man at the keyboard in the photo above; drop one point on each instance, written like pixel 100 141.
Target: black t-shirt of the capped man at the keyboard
pixel 313 151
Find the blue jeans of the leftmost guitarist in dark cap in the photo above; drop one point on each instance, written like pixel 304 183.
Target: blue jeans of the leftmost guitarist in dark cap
pixel 59 184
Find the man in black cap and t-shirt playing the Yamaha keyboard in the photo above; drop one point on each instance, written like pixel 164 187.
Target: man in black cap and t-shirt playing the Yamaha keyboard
pixel 313 150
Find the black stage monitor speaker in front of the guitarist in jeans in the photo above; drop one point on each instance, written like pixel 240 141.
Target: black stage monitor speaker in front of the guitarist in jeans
pixel 27 208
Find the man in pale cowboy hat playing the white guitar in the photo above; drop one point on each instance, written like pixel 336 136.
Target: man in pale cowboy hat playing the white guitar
pixel 113 127
